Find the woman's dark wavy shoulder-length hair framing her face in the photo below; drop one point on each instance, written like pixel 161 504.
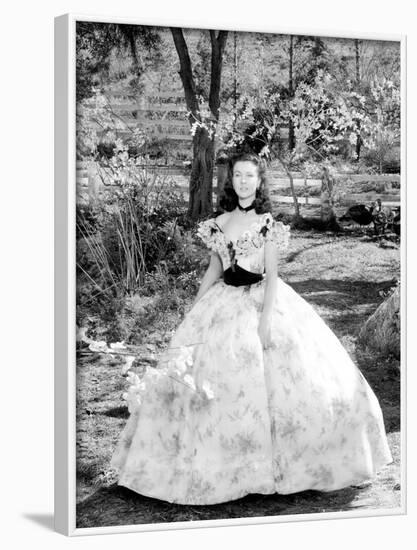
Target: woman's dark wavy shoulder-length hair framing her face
pixel 229 199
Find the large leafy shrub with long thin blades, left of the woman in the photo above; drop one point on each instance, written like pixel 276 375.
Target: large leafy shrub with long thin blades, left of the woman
pixel 138 261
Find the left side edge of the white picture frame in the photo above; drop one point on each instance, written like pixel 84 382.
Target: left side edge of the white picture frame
pixel 62 182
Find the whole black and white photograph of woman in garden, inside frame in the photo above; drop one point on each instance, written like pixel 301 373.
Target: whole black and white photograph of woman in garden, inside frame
pixel 238 275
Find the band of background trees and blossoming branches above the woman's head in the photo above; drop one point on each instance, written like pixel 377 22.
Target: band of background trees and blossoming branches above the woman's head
pixel 249 85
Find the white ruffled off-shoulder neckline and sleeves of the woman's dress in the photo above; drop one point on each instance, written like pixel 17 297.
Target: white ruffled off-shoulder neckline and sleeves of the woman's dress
pixel 250 242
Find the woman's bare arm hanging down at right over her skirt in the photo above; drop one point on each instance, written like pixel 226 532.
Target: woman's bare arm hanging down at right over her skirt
pixel 271 273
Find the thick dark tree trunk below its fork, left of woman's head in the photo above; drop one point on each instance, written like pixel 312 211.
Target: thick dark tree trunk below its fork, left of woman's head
pixel 200 203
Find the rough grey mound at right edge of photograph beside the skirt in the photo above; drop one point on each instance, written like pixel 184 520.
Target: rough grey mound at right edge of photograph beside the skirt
pixel 381 331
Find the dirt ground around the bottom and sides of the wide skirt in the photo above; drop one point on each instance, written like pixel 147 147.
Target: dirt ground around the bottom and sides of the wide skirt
pixel 345 277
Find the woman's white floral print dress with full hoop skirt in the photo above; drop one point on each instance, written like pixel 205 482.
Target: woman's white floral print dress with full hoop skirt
pixel 222 418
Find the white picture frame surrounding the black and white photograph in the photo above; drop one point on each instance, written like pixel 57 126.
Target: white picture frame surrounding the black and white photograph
pixel 65 325
